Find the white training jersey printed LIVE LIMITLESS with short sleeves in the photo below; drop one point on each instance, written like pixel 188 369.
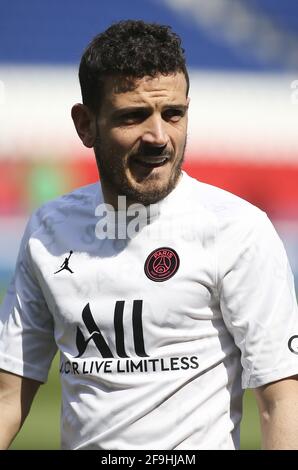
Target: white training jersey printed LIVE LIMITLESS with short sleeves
pixel 159 331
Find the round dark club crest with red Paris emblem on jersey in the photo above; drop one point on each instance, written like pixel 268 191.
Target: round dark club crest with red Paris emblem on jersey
pixel 161 264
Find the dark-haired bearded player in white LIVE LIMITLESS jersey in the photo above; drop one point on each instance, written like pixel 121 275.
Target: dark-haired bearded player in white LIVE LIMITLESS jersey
pixel 181 299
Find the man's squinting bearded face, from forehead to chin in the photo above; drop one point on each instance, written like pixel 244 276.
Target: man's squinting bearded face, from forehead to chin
pixel 141 136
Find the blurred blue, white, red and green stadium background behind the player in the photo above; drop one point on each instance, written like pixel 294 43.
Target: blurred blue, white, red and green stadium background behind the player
pixel 243 60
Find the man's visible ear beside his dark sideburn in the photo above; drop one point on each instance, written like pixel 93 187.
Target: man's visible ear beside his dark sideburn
pixel 84 121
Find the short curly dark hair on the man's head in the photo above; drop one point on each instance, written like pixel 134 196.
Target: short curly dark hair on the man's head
pixel 130 48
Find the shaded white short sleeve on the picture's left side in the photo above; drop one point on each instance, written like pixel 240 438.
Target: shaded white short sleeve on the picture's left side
pixel 27 344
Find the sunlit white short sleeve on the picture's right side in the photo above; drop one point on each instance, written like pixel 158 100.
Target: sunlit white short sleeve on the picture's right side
pixel 257 299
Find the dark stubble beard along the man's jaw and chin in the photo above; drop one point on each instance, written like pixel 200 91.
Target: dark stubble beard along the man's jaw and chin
pixel 114 176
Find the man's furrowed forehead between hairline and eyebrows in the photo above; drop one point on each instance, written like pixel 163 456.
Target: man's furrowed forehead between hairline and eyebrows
pixel 117 88
